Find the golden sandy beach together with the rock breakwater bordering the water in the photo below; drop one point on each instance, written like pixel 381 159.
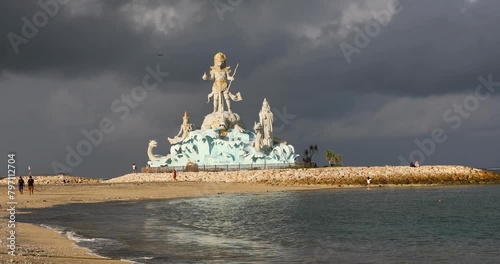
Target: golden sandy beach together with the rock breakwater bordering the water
pixel 55 247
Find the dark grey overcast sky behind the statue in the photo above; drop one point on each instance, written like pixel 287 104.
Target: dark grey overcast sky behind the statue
pixel 380 81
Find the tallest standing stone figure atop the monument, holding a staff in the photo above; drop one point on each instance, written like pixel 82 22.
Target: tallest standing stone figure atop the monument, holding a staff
pixel 220 73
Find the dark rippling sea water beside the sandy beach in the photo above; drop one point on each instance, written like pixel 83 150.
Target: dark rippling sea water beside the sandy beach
pixel 365 225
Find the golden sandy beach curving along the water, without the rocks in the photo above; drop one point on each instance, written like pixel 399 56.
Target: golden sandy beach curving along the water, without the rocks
pixel 40 245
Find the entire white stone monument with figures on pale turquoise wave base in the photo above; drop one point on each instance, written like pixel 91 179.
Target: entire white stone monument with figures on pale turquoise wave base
pixel 222 138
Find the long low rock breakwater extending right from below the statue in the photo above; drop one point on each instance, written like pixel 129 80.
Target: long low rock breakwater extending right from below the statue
pixel 331 176
